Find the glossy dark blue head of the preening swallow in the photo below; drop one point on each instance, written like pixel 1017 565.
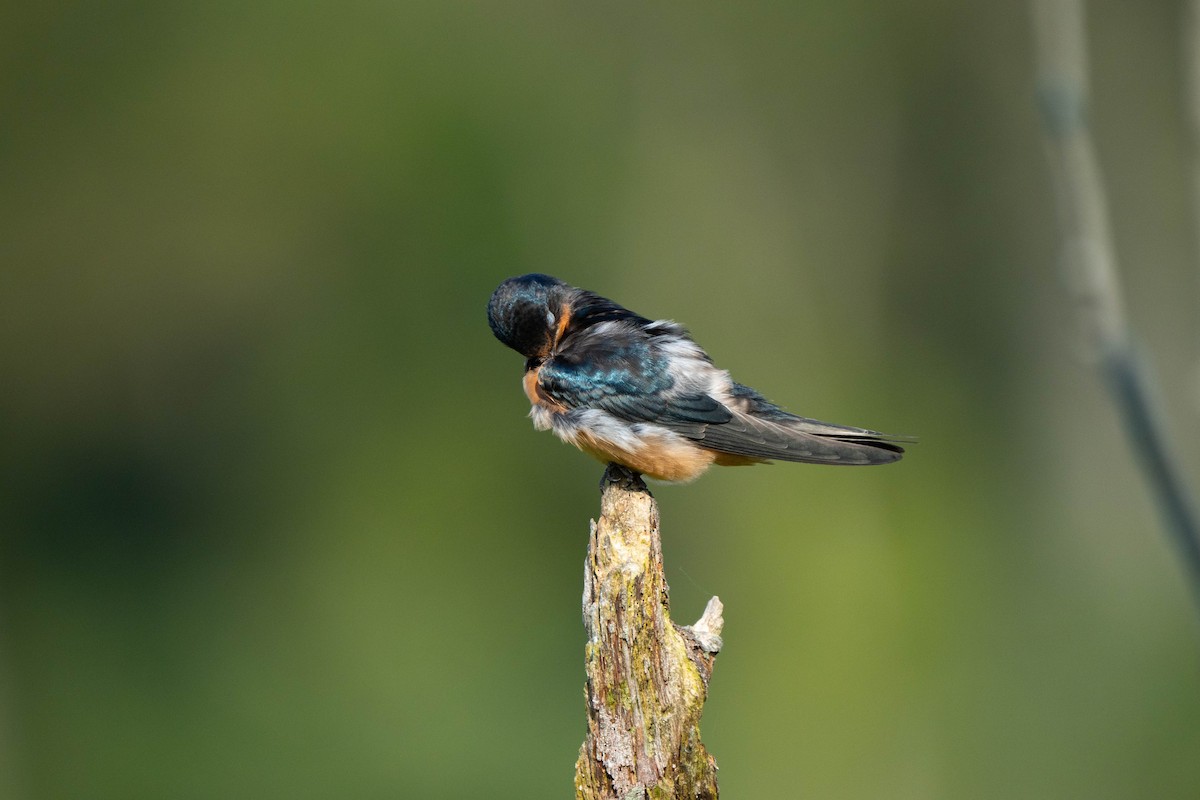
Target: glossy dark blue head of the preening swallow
pixel 524 312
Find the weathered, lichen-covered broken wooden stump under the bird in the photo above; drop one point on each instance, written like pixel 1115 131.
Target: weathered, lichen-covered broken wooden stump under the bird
pixel 647 677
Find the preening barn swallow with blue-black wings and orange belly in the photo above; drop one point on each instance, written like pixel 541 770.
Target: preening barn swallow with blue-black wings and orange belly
pixel 644 395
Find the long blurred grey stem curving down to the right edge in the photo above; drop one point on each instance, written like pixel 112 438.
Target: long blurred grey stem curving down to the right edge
pixel 1090 261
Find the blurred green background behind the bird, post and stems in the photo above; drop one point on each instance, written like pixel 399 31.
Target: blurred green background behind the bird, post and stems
pixel 275 526
